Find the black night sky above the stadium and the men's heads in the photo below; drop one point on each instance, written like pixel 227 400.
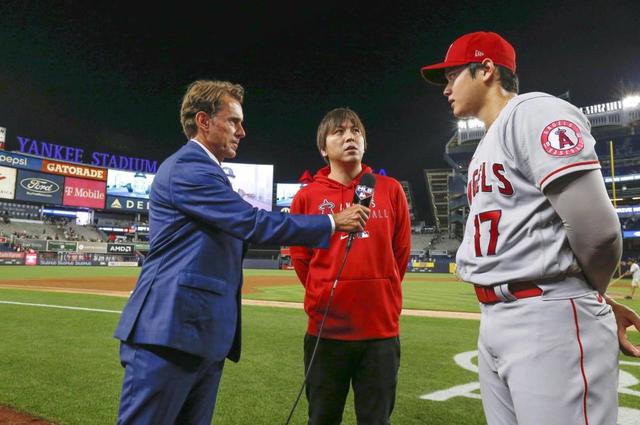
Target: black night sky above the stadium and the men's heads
pixel 111 77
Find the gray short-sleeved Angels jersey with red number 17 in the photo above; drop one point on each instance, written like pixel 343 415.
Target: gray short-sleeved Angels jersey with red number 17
pixel 512 232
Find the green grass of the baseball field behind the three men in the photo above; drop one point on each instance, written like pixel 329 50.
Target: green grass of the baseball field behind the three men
pixel 63 364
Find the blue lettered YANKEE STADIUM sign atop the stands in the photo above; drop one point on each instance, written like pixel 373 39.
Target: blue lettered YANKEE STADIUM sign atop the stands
pixel 102 159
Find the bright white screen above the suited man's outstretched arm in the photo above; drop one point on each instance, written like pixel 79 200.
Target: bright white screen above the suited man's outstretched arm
pixel 254 182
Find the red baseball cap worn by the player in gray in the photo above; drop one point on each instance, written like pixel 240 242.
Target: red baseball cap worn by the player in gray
pixel 470 48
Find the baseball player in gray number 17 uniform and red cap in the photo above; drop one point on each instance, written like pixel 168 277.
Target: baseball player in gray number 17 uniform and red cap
pixel 540 245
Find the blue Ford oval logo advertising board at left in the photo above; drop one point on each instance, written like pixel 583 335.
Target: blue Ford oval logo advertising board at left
pixel 38 187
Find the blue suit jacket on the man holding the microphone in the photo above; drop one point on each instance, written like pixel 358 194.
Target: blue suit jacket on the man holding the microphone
pixel 188 293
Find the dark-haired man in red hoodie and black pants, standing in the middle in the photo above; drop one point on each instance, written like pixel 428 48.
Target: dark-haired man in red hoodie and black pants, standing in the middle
pixel 359 343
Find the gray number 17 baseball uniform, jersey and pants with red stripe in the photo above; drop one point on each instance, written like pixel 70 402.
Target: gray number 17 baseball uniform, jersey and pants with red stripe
pixel 550 359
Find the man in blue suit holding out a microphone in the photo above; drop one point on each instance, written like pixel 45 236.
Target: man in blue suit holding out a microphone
pixel 183 318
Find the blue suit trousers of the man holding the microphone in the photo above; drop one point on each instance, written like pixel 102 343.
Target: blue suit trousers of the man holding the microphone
pixel 164 386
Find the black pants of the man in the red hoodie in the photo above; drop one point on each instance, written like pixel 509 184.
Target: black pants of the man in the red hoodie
pixel 370 366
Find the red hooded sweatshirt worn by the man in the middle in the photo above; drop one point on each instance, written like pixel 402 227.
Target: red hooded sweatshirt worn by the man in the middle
pixel 368 299
